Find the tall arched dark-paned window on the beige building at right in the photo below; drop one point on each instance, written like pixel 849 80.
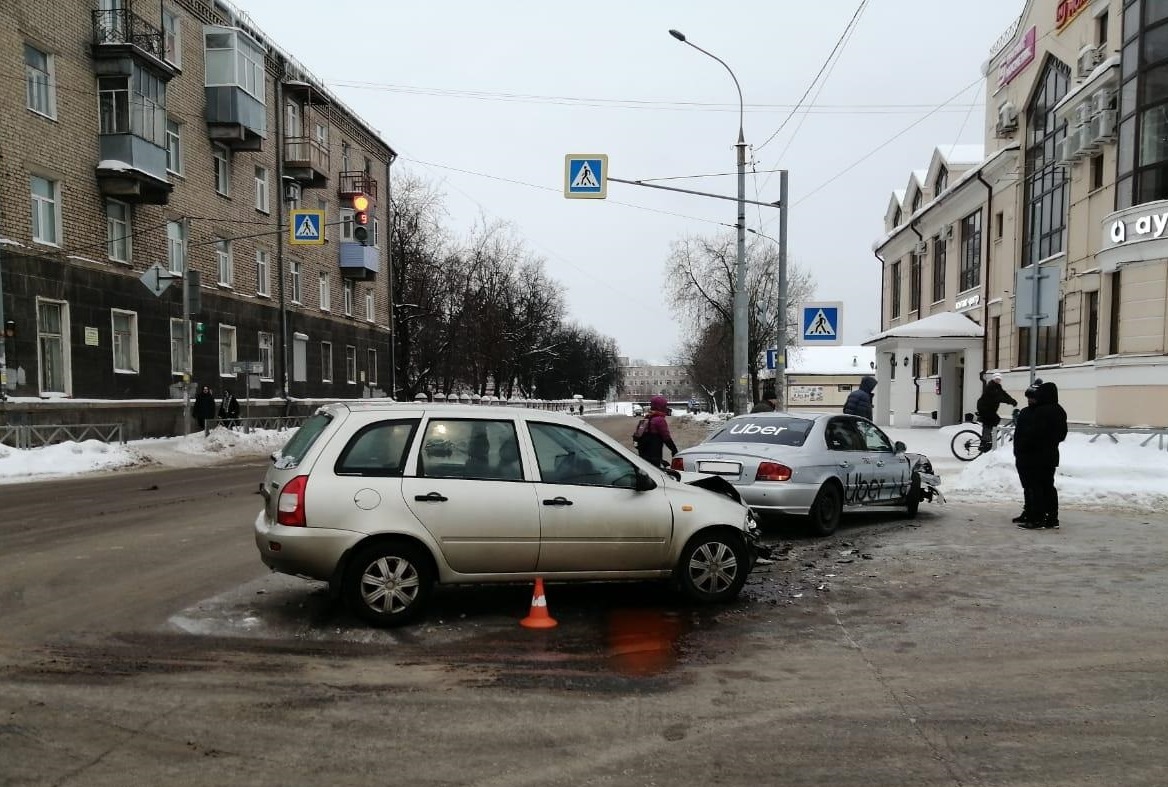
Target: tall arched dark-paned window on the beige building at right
pixel 1046 179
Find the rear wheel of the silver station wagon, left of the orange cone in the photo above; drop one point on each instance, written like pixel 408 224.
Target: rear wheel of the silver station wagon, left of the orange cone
pixel 388 583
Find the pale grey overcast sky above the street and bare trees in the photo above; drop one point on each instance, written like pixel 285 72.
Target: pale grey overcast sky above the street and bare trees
pixel 475 95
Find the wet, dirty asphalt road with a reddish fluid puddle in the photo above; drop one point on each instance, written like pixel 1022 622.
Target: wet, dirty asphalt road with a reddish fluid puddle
pixel 142 643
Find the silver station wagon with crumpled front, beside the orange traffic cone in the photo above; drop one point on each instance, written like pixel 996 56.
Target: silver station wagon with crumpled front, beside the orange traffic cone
pixel 386 500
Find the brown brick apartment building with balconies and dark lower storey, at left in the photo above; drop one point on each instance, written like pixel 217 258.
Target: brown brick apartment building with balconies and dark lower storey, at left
pixel 176 134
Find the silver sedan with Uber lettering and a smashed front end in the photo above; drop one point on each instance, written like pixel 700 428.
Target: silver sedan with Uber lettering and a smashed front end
pixel 812 465
